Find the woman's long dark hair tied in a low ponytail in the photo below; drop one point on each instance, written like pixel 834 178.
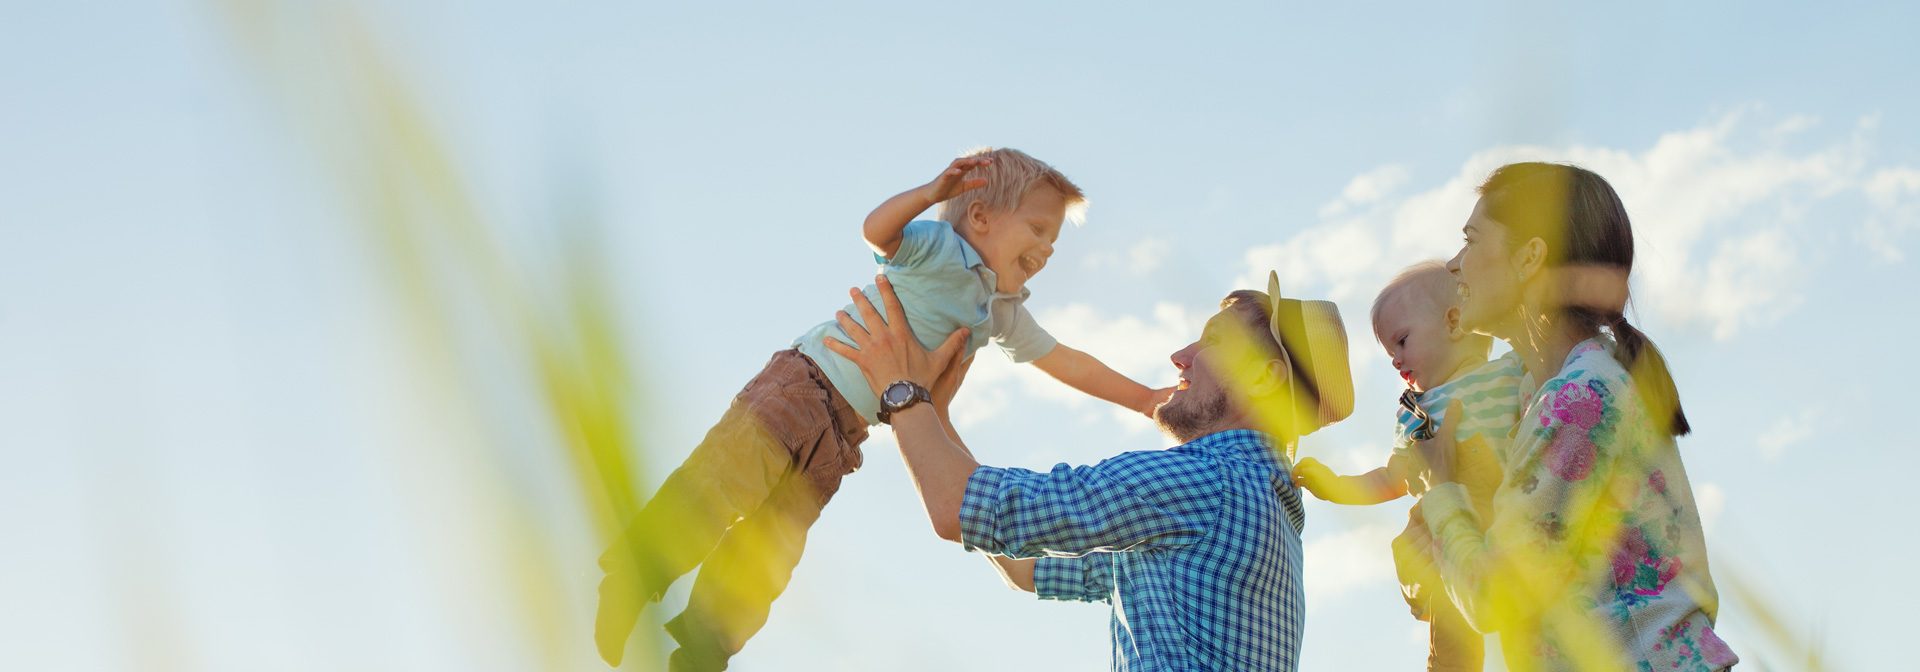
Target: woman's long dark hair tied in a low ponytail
pixel 1583 222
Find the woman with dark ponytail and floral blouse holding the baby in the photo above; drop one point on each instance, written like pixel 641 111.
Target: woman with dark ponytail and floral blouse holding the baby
pixel 1593 556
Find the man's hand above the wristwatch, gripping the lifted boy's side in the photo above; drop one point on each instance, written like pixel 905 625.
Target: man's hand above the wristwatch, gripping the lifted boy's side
pixel 890 352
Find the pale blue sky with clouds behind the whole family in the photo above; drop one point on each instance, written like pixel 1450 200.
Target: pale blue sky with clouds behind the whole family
pixel 231 441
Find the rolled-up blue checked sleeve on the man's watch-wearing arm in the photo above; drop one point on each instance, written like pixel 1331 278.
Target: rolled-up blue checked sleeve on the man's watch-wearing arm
pixel 1132 502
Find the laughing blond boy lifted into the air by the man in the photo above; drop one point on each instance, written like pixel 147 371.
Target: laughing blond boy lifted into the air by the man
pixel 742 504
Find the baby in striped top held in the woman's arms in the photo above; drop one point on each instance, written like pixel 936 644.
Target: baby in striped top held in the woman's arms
pixel 1418 324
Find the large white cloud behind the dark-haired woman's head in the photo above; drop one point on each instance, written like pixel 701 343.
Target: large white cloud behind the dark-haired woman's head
pixel 1717 220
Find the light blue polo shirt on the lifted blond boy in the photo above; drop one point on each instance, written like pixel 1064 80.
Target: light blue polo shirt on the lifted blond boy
pixel 944 285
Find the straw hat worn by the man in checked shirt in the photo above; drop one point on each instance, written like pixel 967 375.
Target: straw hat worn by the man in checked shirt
pixel 1314 339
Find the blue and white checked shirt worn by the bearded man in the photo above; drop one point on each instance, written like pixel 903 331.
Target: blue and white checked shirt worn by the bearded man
pixel 1197 548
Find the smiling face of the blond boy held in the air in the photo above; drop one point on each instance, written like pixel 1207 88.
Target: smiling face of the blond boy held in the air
pixel 1019 243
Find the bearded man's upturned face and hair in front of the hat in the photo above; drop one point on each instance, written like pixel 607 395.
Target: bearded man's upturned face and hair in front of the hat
pixel 1201 402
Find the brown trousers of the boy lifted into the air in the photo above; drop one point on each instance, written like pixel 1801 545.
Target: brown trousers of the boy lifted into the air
pixel 740 508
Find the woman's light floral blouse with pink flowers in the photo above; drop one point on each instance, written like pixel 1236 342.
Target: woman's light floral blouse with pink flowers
pixel 1593 441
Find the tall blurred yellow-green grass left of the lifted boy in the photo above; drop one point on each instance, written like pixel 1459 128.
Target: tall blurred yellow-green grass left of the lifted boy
pixel 441 252
